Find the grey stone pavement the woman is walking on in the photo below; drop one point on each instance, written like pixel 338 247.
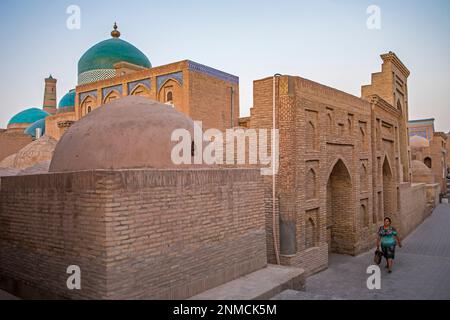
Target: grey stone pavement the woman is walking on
pixel 421 271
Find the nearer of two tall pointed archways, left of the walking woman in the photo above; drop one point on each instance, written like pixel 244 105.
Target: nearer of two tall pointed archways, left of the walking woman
pixel 340 210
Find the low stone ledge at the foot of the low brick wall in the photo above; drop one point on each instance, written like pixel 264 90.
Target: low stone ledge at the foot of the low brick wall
pixel 260 285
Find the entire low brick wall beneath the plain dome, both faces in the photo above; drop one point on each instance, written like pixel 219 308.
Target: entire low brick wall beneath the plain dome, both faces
pixel 135 234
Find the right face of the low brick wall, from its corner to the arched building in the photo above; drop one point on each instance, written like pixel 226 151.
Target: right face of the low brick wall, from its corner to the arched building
pixel 173 234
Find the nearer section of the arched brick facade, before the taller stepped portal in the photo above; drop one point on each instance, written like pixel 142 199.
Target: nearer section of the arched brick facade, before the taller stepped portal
pixel 318 127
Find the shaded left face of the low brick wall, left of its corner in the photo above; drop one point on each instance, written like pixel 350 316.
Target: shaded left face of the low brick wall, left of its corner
pixel 47 223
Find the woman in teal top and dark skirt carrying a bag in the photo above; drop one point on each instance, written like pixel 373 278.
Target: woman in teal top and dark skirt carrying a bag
pixel 388 239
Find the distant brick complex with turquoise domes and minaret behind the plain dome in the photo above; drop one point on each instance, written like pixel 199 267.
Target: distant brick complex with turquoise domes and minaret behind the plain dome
pixel 115 68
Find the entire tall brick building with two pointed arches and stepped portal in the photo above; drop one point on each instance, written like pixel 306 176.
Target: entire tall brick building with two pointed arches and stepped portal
pixel 344 165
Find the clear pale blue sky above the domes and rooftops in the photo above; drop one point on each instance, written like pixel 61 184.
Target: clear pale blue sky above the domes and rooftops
pixel 325 41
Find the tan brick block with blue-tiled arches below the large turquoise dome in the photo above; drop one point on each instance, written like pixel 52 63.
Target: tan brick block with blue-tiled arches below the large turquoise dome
pixel 202 93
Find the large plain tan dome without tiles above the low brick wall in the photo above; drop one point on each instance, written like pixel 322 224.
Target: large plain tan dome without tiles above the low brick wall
pixel 133 132
